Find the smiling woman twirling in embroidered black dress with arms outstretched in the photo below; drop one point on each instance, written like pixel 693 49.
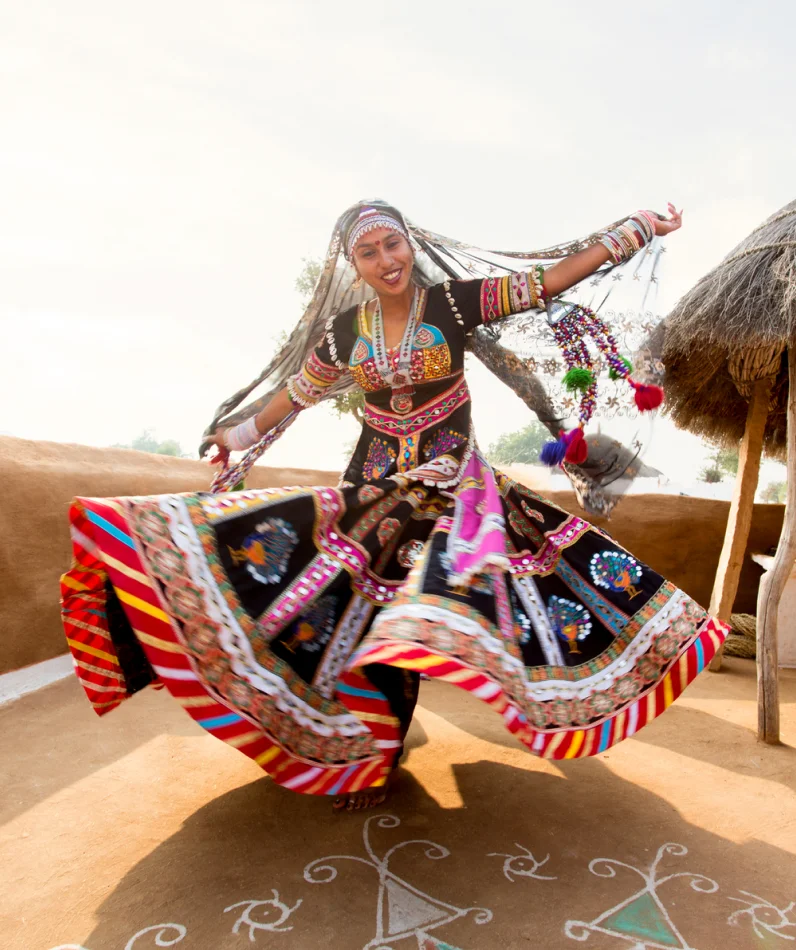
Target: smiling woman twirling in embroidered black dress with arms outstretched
pixel 294 623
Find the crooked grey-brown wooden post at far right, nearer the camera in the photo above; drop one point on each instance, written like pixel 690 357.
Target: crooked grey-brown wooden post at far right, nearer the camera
pixel 773 584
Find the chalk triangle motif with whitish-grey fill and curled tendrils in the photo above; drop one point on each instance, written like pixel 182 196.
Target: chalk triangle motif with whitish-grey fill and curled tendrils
pixel 402 910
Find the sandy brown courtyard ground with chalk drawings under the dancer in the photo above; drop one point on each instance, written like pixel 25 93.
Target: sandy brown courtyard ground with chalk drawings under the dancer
pixel 112 826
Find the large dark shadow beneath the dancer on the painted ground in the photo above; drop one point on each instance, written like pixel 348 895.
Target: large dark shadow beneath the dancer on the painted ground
pixel 258 838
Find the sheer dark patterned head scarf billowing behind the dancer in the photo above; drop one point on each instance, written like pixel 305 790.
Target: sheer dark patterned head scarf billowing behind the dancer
pixel 437 258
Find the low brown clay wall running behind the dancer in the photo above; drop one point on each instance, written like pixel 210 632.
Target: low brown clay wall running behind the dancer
pixel 679 537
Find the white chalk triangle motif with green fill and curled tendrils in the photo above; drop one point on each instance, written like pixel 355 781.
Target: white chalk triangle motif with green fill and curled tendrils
pixel 642 919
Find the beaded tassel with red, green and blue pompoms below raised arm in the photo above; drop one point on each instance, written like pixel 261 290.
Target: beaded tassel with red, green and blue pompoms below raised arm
pixel 571 332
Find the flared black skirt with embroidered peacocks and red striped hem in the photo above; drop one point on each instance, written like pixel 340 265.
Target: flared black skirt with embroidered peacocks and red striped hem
pixel 293 623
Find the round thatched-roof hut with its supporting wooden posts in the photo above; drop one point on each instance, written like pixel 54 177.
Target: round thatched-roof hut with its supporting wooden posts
pixel 729 350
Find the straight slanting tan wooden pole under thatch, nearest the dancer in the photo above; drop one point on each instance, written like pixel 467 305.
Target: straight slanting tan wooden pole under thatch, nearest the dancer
pixel 736 536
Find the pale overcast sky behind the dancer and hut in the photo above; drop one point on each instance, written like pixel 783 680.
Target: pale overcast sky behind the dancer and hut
pixel 166 166
